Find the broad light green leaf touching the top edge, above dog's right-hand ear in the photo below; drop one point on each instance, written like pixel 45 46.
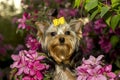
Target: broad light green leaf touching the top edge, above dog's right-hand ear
pixel 91 4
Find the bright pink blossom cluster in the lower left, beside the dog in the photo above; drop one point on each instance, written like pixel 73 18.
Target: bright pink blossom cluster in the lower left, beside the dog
pixel 28 64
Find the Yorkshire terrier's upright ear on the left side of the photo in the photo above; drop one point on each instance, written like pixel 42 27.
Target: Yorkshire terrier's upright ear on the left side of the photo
pixel 41 28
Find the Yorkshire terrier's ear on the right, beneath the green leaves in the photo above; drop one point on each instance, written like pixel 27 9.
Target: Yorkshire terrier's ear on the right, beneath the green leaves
pixel 77 26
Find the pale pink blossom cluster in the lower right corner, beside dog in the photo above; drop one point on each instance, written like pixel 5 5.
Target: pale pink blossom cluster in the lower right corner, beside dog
pixel 93 69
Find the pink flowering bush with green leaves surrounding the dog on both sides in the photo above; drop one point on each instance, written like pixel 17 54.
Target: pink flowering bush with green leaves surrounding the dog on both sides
pixel 100 36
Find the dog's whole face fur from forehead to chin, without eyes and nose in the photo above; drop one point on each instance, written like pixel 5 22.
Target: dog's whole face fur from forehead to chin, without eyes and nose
pixel 60 52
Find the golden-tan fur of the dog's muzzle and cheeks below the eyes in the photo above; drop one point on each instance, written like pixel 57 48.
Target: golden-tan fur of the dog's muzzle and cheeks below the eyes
pixel 61 52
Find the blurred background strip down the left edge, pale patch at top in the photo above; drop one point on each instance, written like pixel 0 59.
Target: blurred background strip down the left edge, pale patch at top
pixel 9 40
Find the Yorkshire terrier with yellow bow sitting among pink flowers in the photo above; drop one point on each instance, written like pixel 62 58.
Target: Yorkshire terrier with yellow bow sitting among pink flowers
pixel 60 40
